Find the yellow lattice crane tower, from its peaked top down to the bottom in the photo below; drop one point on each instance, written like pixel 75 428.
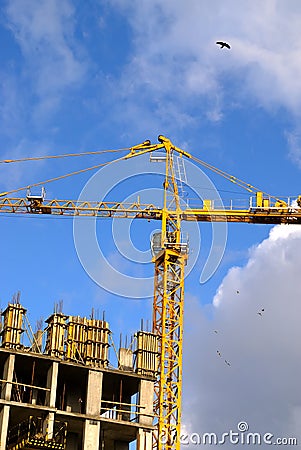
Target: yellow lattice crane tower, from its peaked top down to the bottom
pixel 169 259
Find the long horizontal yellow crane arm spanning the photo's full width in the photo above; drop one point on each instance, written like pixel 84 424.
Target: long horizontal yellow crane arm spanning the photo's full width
pixel 138 210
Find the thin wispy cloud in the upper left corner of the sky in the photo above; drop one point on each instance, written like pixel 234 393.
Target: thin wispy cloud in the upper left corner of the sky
pixel 44 32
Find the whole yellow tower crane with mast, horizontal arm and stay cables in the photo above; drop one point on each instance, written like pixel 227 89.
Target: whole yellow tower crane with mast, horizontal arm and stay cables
pixel 170 256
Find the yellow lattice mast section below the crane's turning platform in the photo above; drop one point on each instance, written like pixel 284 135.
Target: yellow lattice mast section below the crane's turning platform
pixel 168 325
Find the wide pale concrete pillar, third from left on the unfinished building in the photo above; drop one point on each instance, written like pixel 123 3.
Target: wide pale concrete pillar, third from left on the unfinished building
pixel 93 404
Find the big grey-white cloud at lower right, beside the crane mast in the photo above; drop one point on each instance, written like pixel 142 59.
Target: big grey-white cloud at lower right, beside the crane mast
pixel 262 385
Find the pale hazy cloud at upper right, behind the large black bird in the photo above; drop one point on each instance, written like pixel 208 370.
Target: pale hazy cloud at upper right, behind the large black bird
pixel 175 42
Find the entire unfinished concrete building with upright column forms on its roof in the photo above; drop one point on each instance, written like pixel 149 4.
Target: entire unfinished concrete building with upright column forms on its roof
pixel 61 392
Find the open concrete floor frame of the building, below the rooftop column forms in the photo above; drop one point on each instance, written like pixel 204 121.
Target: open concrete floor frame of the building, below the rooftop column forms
pixel 101 406
